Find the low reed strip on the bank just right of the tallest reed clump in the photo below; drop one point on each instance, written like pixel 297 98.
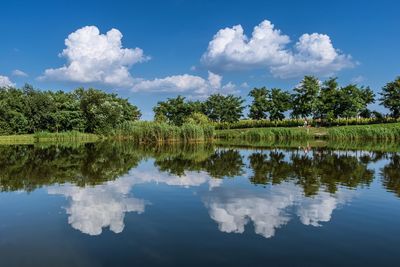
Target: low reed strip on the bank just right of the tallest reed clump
pixel 269 134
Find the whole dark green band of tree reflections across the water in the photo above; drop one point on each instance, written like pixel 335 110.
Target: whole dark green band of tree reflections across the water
pixel 28 167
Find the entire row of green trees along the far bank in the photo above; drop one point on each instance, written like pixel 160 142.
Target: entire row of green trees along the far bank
pixel 29 110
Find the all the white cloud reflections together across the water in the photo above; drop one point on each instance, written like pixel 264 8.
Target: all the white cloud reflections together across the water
pixel 93 208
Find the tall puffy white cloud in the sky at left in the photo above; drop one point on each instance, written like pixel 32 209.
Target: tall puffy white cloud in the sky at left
pixel 95 57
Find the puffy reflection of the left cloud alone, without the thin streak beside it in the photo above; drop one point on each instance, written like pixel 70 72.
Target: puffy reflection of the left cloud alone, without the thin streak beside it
pixel 95 207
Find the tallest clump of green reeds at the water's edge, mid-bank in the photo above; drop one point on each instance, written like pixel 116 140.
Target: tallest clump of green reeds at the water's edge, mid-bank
pixel 153 132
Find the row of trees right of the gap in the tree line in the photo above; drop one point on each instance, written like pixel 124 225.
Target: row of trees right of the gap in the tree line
pixel 310 99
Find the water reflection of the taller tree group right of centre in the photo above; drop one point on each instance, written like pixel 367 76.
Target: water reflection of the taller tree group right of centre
pixel 325 169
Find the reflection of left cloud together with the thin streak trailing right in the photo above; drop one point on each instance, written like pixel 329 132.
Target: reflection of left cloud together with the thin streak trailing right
pixel 93 208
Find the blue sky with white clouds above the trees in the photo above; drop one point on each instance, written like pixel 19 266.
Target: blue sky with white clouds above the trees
pixel 148 51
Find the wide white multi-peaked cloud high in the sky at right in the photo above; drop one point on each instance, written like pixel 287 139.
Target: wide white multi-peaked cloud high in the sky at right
pixel 231 49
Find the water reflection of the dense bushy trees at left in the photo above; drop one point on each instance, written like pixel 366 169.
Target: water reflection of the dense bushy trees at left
pixel 30 167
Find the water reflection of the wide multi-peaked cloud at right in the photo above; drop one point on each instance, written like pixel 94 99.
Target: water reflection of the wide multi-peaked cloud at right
pixel 233 208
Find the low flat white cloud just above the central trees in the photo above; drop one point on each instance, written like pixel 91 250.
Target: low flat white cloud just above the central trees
pixel 186 83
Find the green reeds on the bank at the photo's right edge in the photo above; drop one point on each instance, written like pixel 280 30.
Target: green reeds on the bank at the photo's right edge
pixel 370 132
